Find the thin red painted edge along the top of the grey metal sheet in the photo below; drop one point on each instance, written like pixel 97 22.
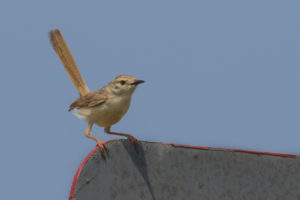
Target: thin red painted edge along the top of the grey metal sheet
pixel 175 145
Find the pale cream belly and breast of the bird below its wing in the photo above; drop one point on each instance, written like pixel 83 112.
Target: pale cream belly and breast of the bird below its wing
pixel 105 114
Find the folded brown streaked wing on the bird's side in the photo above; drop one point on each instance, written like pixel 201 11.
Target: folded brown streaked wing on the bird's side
pixel 91 99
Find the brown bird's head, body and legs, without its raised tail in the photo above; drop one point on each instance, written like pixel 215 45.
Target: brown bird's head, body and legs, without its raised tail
pixel 106 106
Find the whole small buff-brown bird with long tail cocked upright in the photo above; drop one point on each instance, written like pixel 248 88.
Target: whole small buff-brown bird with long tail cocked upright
pixel 103 107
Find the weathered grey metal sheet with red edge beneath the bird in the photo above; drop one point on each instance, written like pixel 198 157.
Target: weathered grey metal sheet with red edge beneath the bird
pixel 167 172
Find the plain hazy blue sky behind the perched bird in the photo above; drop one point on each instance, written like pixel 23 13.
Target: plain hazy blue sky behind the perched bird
pixel 218 73
